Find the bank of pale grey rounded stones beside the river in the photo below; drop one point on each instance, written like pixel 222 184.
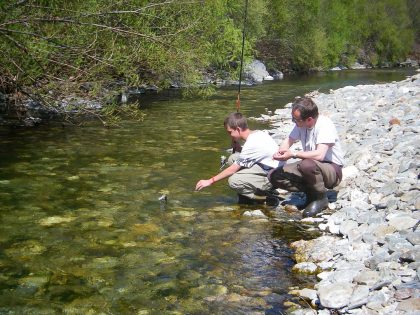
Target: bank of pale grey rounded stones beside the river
pixel 368 259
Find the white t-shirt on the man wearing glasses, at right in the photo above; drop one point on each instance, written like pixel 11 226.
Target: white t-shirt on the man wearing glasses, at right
pixel 325 132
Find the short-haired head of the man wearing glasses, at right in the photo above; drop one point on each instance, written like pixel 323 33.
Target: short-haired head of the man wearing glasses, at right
pixel 304 112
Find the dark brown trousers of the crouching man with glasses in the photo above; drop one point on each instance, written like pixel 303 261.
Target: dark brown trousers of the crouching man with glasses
pixel 308 175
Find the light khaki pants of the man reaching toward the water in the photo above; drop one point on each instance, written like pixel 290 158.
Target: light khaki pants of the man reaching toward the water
pixel 249 182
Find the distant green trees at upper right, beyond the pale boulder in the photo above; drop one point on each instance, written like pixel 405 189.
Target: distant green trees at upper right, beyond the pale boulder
pixel 323 33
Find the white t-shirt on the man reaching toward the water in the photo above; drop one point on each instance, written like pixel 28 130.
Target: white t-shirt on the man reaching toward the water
pixel 259 148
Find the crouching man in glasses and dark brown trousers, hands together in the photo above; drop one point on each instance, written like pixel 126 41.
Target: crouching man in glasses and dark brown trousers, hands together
pixel 321 159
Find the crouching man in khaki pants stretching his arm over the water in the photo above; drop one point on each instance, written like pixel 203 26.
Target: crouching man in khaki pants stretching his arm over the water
pixel 248 172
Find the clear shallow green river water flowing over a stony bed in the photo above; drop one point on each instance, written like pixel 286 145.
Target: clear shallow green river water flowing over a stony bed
pixel 83 230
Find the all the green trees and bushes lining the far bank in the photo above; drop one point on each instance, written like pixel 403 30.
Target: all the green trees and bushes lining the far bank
pixel 50 47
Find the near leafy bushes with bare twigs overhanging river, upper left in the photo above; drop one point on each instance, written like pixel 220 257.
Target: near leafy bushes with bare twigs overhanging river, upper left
pixel 50 47
